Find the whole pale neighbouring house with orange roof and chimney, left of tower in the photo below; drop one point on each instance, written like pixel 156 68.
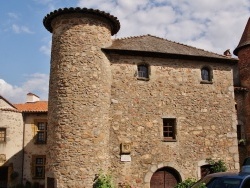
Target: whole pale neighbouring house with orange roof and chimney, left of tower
pixel 23 137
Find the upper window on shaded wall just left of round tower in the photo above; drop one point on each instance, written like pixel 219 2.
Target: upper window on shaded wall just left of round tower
pixel 41 132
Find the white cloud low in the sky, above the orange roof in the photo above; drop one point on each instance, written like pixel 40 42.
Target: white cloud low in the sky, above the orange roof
pixel 37 83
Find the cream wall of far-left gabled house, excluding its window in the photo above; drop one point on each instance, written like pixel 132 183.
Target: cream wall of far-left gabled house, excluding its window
pixel 11 150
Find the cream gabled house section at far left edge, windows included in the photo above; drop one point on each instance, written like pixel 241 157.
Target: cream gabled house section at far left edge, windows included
pixel 11 144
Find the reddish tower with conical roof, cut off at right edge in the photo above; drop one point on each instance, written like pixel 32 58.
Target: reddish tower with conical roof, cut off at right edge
pixel 243 53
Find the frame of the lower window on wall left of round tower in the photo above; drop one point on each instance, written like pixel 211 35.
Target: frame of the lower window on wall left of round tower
pixel 35 165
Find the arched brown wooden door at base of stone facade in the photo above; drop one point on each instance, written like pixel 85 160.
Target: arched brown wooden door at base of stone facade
pixel 166 177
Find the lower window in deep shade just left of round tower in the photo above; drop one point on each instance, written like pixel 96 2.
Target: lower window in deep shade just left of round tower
pixel 39 166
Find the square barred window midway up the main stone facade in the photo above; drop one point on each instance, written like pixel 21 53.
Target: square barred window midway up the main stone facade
pixel 169 129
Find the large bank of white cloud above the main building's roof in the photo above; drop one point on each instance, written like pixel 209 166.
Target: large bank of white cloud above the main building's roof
pixel 212 24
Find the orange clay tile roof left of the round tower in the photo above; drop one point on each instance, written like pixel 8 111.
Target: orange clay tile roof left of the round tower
pixel 39 106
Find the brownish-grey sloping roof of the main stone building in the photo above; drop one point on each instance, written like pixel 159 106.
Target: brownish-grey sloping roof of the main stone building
pixel 152 44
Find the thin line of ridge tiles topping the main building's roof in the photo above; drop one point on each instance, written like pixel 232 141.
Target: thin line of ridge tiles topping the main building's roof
pixel 140 36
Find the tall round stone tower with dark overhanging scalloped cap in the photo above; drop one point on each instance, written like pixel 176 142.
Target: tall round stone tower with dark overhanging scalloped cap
pixel 79 96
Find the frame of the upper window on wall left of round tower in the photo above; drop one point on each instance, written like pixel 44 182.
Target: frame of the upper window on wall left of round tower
pixel 40 131
